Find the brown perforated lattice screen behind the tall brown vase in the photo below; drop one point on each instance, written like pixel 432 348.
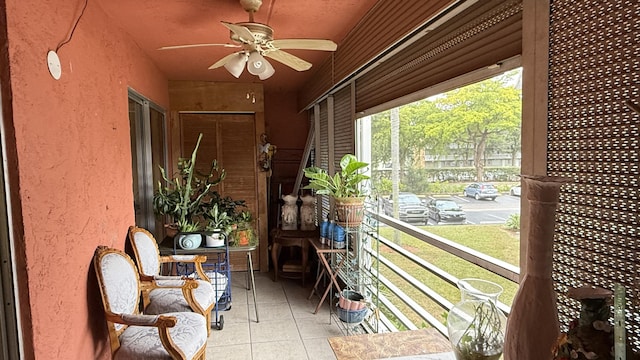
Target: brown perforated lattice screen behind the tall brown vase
pixel 594 138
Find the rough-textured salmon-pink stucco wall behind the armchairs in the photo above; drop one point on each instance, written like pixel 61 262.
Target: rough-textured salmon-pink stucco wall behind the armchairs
pixel 72 140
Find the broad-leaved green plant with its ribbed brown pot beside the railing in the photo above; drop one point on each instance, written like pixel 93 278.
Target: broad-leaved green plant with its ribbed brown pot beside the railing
pixel 344 187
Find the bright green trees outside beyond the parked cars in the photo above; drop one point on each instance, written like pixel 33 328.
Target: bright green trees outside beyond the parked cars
pixel 464 125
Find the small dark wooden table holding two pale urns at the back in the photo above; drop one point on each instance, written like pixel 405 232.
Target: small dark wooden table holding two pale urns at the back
pixel 299 238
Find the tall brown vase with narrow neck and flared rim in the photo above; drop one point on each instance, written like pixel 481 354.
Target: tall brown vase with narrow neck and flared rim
pixel 533 327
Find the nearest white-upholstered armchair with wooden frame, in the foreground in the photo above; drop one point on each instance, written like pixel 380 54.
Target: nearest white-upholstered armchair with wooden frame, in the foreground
pixel 172 335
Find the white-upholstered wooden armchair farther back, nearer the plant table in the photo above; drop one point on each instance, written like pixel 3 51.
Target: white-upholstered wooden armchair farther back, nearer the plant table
pixel 158 295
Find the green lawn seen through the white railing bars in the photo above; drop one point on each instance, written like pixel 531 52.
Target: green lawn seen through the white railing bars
pixel 492 240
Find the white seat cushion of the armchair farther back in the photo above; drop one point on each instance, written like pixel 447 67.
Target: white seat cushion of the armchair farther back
pixel 166 300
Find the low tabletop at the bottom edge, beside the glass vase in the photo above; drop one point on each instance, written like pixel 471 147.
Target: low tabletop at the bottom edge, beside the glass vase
pixel 418 344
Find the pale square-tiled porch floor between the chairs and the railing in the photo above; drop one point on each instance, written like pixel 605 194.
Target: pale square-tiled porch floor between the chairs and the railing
pixel 288 329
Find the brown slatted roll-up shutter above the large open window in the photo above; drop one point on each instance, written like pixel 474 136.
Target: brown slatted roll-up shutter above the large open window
pixel 482 35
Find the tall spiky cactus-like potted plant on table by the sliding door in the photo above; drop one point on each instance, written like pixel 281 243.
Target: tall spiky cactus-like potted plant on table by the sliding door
pixel 183 197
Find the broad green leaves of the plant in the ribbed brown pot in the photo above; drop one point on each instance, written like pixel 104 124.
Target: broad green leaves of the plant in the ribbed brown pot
pixel 345 183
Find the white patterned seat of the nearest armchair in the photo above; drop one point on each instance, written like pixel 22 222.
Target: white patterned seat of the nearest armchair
pixel 143 342
